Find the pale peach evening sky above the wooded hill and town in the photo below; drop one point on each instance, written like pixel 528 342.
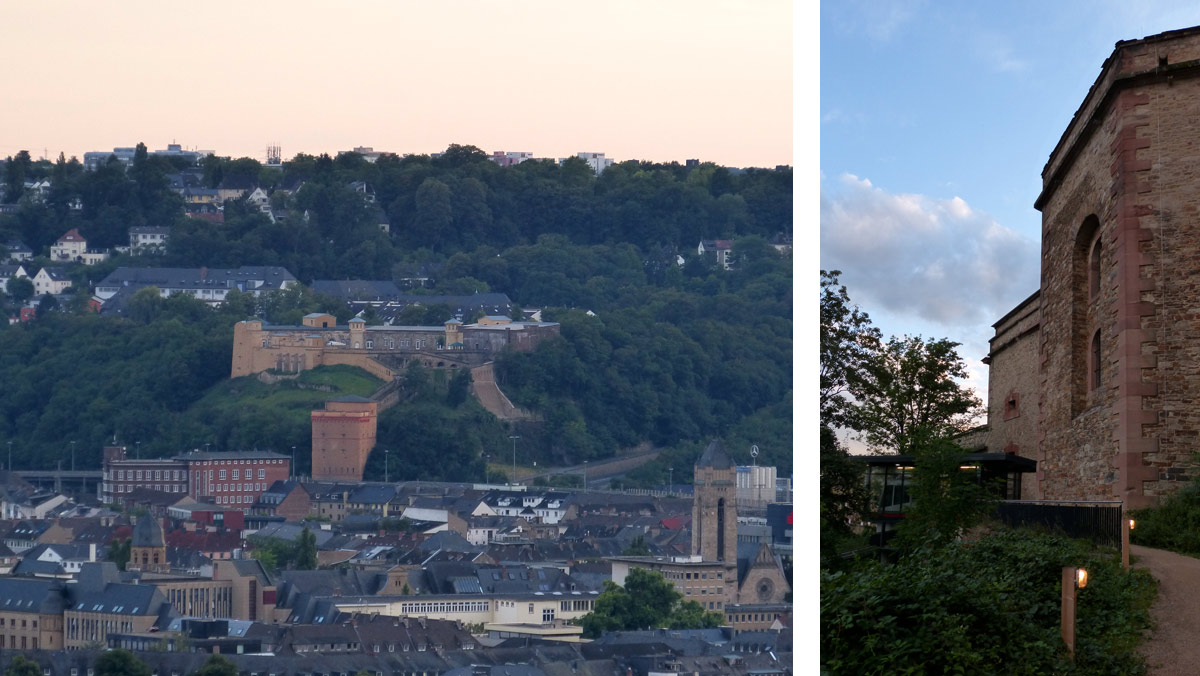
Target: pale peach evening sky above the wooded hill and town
pixel 663 81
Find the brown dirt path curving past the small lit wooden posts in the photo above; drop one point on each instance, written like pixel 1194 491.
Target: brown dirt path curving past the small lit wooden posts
pixel 1174 647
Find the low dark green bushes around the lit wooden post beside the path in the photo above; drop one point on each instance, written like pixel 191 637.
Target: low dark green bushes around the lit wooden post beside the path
pixel 988 607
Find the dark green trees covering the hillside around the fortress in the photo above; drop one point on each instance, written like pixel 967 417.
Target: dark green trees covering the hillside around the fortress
pixel 659 345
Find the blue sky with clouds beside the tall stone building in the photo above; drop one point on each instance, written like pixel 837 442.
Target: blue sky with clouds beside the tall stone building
pixel 937 121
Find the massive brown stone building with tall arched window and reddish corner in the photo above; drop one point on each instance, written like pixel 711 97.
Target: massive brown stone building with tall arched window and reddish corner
pixel 1117 374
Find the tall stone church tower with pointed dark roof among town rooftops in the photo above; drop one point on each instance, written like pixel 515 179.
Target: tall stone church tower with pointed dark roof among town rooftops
pixel 715 509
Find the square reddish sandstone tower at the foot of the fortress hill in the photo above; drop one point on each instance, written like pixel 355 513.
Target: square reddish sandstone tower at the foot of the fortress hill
pixel 343 438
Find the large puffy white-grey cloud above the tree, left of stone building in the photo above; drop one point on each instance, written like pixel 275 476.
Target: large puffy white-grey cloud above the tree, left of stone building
pixel 937 261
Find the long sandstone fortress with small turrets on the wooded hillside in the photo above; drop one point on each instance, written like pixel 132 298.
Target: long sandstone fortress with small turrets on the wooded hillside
pixel 383 351
